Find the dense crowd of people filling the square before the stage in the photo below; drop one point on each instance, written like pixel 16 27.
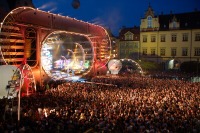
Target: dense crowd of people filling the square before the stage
pixel 108 104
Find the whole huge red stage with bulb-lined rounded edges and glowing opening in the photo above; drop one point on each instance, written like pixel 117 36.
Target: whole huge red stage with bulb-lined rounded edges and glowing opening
pixel 55 46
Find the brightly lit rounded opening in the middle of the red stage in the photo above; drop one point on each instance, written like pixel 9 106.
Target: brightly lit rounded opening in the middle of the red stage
pixel 66 56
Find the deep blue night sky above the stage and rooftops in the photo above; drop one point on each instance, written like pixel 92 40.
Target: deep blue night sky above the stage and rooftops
pixel 114 14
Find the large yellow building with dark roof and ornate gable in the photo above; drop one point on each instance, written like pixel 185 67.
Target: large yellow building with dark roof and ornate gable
pixel 170 39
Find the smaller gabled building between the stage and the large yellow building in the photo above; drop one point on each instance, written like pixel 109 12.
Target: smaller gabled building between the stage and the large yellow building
pixel 128 45
